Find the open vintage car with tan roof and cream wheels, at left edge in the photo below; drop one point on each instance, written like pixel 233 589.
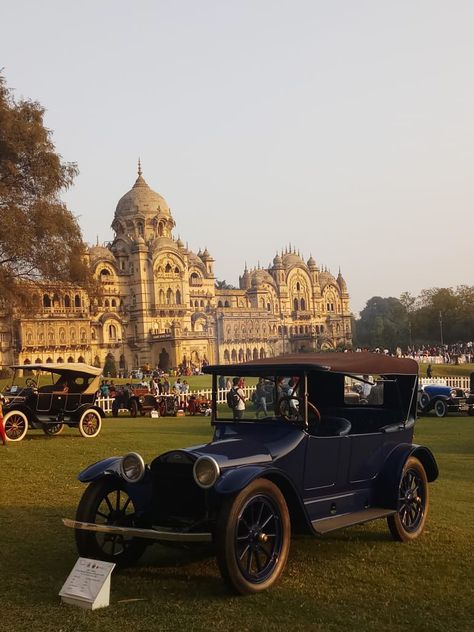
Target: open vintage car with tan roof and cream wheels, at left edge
pixel 53 396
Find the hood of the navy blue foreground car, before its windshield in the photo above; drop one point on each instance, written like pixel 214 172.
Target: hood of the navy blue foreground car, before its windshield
pixel 233 452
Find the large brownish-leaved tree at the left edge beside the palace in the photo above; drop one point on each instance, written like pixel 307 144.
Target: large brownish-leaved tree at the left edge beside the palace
pixel 40 239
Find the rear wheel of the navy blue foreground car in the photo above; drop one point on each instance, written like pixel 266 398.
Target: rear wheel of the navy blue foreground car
pixel 413 503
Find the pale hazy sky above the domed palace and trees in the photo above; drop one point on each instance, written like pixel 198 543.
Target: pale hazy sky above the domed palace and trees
pixel 343 127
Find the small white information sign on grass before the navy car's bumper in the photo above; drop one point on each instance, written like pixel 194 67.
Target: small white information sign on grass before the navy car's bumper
pixel 88 584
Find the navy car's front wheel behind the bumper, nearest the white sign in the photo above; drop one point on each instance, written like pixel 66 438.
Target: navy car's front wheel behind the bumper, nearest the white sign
pixel 106 502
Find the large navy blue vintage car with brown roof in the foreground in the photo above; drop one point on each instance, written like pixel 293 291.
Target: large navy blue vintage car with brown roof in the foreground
pixel 316 463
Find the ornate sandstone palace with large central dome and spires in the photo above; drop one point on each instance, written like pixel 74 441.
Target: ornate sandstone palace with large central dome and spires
pixel 160 304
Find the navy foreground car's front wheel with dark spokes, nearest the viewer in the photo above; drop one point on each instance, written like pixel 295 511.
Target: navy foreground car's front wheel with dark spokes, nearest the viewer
pixel 253 537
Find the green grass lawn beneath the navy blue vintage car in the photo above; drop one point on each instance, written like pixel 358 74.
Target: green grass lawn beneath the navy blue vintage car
pixel 356 579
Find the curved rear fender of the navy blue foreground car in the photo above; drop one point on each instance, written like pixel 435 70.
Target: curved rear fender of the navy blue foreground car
pixel 389 478
